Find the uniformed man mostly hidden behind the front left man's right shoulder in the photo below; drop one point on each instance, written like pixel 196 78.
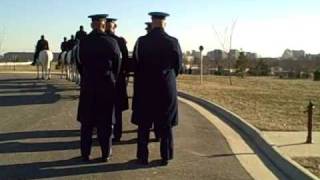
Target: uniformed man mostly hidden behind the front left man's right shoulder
pixel 122 103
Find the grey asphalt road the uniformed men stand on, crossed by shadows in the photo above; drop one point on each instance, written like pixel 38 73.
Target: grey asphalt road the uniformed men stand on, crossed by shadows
pixel 39 138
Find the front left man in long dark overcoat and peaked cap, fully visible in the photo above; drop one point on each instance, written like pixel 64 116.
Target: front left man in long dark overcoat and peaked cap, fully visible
pixel 100 62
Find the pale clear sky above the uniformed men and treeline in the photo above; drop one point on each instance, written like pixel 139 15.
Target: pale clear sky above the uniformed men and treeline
pixel 266 27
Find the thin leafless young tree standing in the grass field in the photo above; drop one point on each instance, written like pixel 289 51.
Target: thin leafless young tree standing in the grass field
pixel 225 41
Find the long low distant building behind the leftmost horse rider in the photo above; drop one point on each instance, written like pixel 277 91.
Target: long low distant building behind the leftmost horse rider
pixel 22 56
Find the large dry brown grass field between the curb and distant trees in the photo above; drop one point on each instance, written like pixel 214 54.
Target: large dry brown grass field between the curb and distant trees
pixel 268 103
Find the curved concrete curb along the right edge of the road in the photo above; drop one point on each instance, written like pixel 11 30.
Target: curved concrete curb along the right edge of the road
pixel 287 166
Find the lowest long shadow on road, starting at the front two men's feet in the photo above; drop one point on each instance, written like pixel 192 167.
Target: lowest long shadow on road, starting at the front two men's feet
pixel 65 168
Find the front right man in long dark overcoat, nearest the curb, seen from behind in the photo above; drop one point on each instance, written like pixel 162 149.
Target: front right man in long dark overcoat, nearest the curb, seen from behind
pixel 159 59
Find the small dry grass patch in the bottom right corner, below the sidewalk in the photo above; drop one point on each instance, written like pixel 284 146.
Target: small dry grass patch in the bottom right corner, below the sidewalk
pixel 311 163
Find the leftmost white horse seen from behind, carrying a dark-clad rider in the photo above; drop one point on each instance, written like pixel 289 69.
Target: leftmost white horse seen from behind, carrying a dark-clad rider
pixel 44 60
